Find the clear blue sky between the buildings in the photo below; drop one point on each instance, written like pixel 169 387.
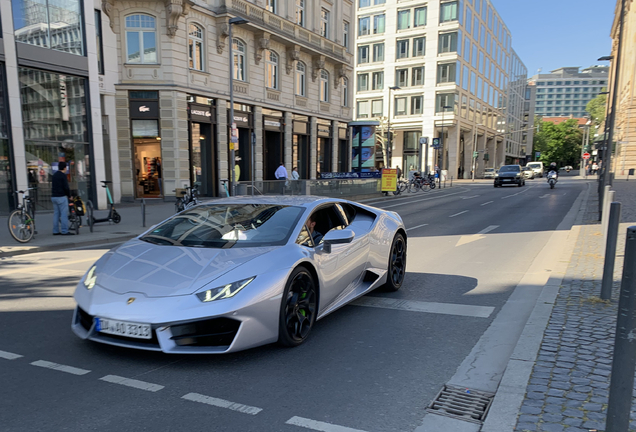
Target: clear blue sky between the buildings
pixel 549 34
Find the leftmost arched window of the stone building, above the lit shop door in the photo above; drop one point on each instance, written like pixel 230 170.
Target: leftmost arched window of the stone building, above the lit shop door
pixel 141 39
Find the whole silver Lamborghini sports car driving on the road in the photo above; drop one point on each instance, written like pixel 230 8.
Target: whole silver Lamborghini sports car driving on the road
pixel 236 273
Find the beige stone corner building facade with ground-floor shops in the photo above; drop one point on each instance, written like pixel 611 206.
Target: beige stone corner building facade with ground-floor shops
pixel 292 68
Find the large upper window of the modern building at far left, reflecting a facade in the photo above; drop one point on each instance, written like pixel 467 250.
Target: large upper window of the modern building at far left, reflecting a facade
pixel 49 24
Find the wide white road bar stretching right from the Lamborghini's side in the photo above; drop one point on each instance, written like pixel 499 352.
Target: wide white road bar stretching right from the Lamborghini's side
pixel 428 307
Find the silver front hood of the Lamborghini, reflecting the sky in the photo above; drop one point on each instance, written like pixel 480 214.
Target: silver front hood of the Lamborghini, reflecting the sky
pixel 163 271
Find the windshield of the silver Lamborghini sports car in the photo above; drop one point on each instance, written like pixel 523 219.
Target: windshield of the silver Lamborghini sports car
pixel 226 225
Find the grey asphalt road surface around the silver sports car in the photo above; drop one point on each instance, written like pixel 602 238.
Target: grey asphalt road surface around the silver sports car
pixel 370 367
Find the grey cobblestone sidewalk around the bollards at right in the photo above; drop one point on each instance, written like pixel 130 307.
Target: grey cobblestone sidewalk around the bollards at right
pixel 569 386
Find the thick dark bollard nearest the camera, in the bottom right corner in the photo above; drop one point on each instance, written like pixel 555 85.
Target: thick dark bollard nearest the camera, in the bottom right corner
pixel 622 381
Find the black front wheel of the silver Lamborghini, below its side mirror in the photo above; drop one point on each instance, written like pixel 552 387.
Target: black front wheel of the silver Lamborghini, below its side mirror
pixel 298 309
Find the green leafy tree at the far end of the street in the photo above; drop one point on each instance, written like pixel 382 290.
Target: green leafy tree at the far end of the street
pixel 558 143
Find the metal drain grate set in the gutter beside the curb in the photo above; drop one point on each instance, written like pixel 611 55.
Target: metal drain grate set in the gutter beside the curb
pixel 462 403
